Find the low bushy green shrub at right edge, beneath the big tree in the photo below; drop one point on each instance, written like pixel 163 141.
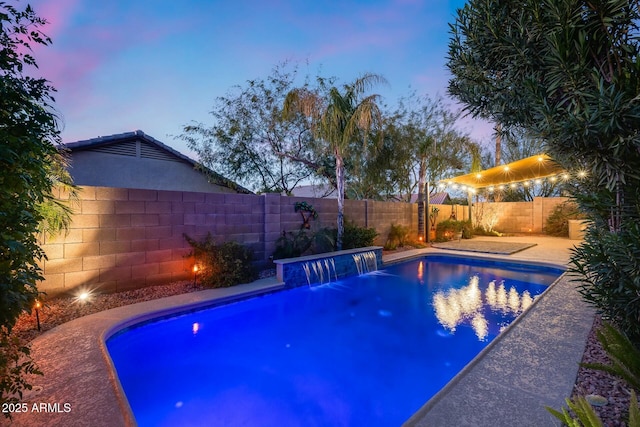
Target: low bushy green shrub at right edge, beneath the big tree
pixel 609 268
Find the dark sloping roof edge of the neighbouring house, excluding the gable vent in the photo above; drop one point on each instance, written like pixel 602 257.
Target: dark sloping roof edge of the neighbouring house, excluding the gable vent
pixel 162 152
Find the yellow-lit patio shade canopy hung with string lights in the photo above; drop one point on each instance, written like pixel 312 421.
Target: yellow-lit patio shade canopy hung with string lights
pixel 531 168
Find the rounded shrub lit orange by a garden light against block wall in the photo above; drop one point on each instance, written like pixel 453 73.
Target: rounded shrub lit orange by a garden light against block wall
pixel 222 265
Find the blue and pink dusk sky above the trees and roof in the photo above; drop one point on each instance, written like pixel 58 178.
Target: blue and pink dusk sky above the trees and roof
pixel 158 65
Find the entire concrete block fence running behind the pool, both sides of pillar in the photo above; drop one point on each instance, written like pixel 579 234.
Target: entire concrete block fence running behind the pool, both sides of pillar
pixel 129 238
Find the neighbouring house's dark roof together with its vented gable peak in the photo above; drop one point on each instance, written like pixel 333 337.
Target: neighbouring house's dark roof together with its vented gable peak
pixel 126 144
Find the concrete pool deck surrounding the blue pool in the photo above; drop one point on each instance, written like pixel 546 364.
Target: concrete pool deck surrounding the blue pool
pixel 532 364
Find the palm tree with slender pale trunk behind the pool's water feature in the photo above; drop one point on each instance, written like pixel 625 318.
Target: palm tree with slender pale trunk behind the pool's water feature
pixel 338 117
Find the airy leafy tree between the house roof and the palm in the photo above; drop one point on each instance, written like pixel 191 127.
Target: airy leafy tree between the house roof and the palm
pixel 250 140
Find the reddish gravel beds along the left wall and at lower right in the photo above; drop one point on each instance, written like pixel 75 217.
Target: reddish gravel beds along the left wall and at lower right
pixel 59 310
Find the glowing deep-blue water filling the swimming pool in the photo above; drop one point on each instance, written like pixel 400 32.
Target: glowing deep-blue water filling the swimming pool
pixel 369 350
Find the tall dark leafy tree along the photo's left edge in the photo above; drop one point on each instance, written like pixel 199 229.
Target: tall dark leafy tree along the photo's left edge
pixel 30 166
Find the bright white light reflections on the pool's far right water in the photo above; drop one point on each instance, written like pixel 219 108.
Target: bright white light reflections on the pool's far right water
pixel 453 307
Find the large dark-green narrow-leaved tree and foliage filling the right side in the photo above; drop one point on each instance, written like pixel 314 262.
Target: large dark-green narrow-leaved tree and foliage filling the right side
pixel 567 72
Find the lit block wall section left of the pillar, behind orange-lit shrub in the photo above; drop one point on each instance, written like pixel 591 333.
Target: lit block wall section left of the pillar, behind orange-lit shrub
pixel 127 238
